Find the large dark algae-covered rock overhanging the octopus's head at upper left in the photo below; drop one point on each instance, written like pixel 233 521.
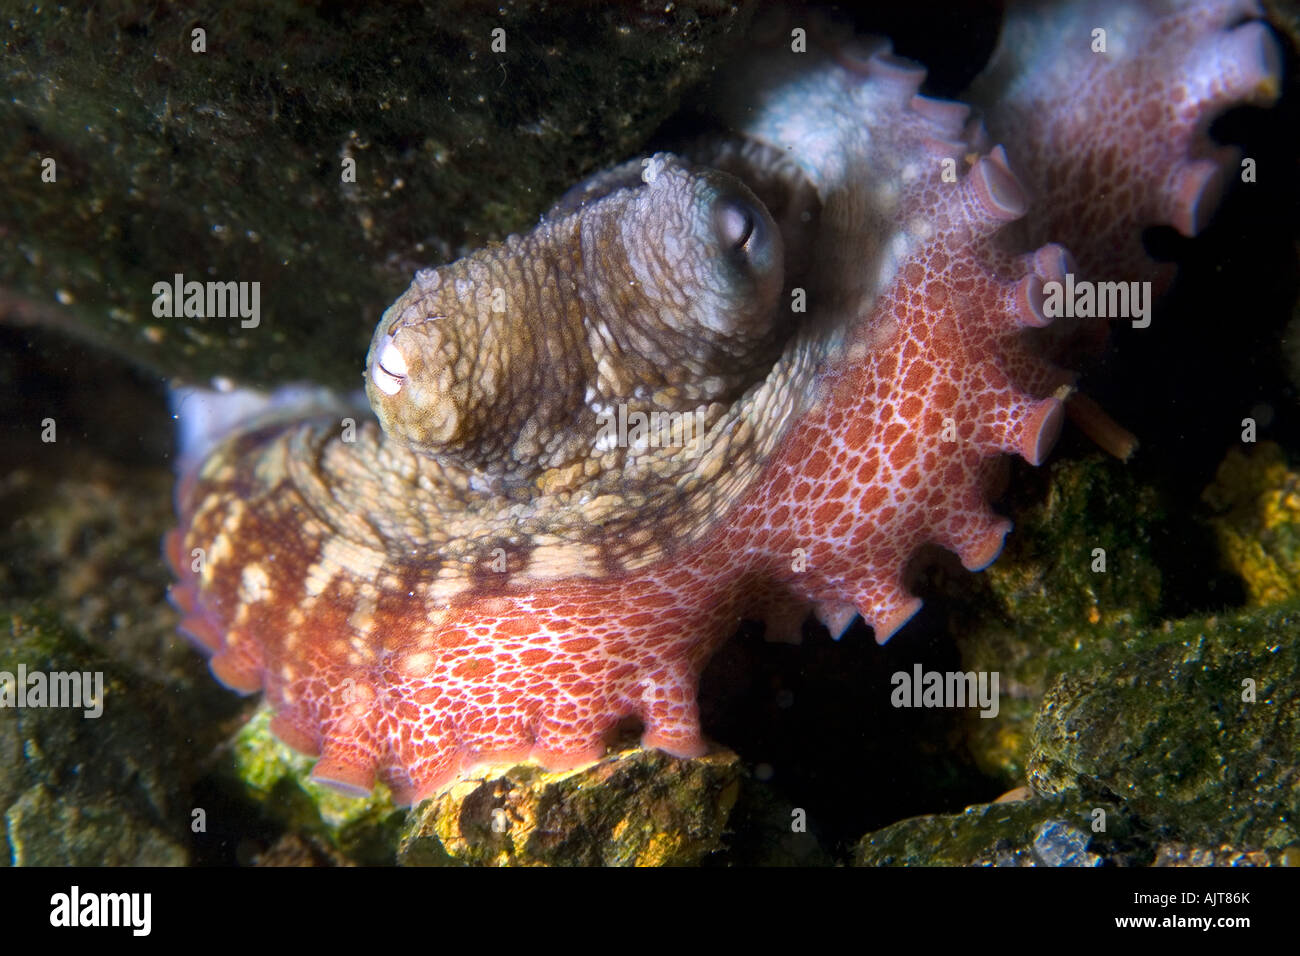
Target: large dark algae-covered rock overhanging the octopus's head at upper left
pixel 323 153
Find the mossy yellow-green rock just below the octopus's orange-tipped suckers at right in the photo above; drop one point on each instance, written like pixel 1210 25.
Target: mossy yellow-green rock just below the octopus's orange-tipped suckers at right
pixel 1045 608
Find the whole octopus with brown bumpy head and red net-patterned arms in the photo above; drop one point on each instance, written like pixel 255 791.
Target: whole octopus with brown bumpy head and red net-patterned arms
pixel 486 573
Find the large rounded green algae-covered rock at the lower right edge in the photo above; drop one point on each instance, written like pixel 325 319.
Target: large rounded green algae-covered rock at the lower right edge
pixel 1195 728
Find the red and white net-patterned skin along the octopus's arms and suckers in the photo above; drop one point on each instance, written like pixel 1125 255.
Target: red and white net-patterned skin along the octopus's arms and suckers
pixel 931 384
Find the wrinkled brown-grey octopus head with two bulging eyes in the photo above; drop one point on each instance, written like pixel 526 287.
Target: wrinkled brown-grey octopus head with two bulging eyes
pixel 655 280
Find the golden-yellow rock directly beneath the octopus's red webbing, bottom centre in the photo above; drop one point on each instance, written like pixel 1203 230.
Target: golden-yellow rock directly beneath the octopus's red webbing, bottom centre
pixel 635 808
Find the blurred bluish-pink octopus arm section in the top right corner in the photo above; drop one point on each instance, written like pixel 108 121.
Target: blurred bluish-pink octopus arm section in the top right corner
pixel 1167 75
